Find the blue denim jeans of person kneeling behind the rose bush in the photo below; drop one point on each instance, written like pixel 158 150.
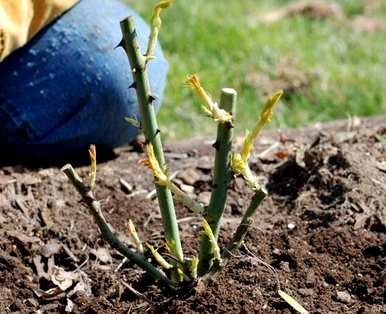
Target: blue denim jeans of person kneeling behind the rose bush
pixel 69 87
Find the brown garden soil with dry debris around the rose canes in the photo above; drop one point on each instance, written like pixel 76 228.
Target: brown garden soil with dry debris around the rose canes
pixel 322 229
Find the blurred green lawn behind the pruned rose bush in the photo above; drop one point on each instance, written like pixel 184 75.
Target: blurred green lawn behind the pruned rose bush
pixel 328 68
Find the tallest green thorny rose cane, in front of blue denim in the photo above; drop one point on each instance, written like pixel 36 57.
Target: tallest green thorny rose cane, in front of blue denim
pixel 151 131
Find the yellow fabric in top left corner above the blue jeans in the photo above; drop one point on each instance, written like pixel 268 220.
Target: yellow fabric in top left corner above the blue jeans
pixel 20 20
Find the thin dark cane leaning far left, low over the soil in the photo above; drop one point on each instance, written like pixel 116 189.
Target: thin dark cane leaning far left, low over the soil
pixel 95 209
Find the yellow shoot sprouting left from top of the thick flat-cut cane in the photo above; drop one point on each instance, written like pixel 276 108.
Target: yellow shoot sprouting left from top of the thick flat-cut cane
pixel 210 107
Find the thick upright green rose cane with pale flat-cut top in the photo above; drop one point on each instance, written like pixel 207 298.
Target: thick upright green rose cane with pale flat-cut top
pixel 220 180
